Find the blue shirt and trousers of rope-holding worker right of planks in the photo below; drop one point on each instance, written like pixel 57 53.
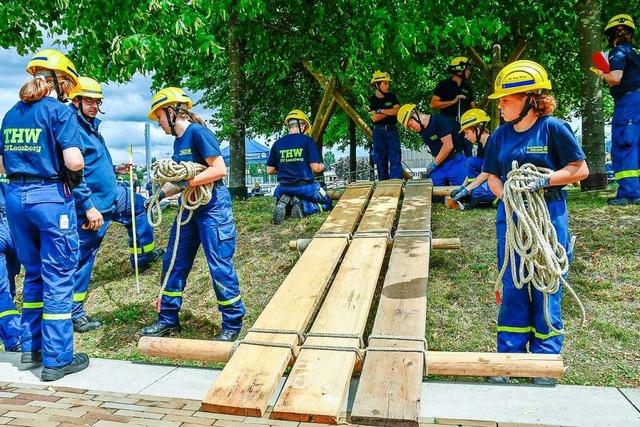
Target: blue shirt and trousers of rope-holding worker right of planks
pixel 549 143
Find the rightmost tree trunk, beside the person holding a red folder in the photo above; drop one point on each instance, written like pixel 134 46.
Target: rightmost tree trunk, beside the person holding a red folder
pixel 589 37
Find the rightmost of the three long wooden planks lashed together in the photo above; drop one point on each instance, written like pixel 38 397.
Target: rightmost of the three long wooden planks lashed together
pixel 390 384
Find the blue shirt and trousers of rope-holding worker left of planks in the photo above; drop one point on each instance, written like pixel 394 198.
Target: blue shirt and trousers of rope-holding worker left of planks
pixel 212 226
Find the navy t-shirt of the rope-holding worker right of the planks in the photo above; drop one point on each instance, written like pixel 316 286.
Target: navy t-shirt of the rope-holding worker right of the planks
pixel 549 143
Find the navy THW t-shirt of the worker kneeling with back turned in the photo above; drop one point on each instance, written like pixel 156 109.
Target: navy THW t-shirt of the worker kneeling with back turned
pixel 291 155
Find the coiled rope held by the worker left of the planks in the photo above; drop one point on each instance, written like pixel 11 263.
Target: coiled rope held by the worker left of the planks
pixel 191 198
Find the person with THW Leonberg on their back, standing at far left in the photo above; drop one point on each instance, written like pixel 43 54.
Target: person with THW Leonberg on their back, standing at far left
pixel 41 154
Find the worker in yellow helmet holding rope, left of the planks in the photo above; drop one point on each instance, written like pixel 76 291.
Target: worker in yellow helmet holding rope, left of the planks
pixel 208 222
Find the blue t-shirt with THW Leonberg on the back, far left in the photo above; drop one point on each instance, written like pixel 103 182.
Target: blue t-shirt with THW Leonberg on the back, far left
pixel 33 136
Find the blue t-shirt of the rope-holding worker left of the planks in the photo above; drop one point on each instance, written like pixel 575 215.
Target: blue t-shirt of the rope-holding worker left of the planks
pixel 196 144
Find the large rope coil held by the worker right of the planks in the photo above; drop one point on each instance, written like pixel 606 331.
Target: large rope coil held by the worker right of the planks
pixel 543 260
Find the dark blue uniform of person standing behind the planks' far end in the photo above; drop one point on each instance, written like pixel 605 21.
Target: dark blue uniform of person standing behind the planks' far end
pixel 387 154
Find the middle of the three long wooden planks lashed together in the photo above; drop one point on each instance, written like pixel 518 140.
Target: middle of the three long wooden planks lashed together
pixel 319 381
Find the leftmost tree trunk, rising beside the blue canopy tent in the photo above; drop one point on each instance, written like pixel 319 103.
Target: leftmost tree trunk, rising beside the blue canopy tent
pixel 237 167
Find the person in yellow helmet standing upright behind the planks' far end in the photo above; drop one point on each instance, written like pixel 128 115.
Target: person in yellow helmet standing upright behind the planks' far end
pixel 383 107
